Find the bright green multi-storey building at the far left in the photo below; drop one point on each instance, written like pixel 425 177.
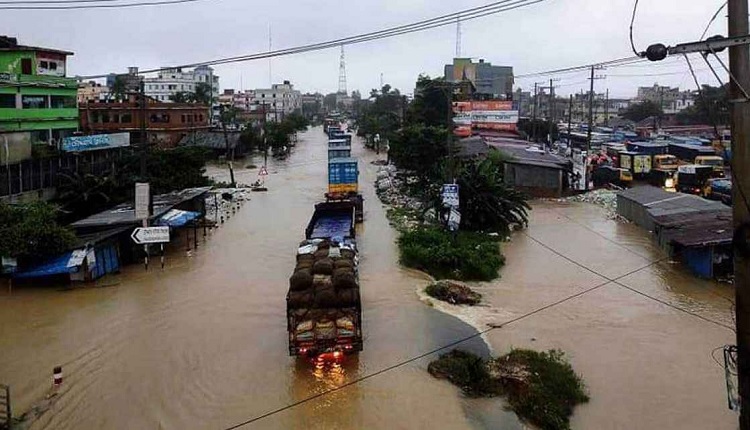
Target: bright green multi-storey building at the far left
pixel 37 101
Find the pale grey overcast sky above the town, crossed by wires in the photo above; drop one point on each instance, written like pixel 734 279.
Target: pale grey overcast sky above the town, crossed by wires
pixel 548 35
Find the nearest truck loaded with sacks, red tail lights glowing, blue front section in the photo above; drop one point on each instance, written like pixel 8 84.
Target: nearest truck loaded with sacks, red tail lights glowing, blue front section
pixel 324 308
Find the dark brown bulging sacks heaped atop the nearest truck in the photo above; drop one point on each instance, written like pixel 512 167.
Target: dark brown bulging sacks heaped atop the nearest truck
pixel 325 276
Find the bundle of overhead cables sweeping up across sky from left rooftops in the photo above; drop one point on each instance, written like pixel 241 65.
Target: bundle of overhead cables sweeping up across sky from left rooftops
pixel 449 19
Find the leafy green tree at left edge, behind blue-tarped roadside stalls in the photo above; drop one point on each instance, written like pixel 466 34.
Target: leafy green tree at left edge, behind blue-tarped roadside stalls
pixel 30 232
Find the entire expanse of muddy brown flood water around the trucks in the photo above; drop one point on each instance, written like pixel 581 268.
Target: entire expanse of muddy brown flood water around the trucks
pixel 202 344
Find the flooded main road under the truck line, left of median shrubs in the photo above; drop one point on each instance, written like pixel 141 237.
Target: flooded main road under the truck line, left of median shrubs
pixel 202 344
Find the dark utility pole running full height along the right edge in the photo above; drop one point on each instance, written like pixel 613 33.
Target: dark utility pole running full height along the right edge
pixel 739 66
